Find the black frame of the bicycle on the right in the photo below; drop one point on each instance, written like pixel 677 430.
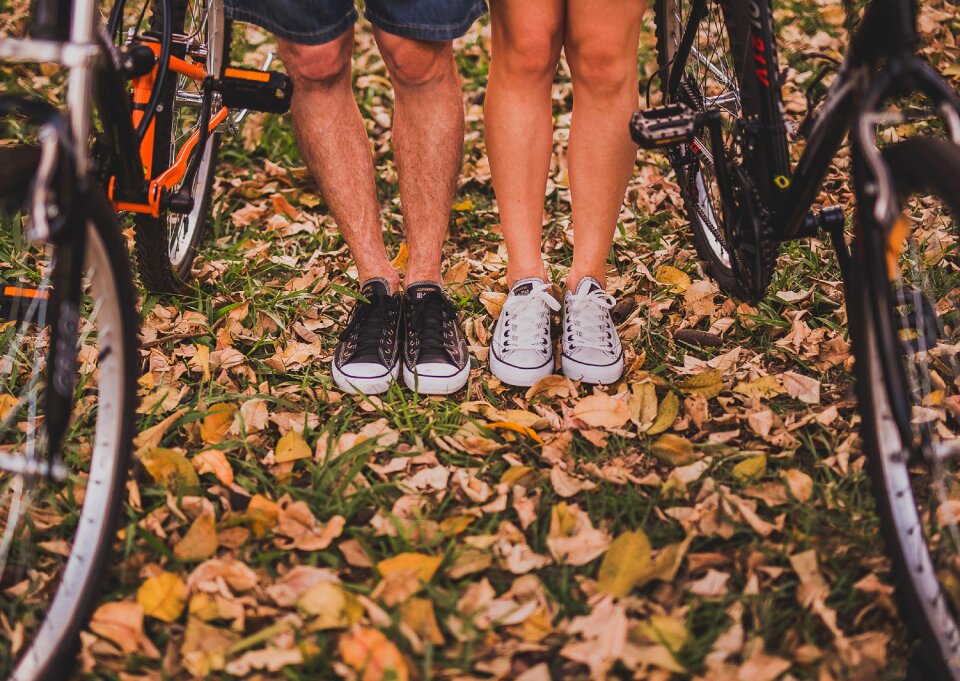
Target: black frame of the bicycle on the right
pixel 881 61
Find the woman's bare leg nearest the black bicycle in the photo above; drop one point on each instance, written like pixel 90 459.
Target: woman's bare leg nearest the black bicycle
pixel 601 48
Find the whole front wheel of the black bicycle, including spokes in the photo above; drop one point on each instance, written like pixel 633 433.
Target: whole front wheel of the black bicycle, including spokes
pixel 906 332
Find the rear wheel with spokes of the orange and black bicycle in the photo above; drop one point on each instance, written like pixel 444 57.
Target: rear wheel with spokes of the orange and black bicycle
pixel 167 246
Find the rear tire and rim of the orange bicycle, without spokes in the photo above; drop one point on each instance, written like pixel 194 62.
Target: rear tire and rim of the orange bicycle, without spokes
pixel 166 246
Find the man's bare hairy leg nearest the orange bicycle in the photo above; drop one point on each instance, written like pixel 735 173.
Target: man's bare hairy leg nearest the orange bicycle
pixel 334 142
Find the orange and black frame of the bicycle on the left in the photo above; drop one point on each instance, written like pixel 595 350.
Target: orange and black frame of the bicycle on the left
pixel 94 67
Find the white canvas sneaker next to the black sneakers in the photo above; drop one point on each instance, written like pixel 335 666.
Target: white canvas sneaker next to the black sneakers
pixel 521 352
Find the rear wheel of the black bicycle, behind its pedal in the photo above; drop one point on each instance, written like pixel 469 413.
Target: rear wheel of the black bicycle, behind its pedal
pixel 711 77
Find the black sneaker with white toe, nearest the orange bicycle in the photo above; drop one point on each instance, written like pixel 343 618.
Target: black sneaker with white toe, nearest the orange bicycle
pixel 367 356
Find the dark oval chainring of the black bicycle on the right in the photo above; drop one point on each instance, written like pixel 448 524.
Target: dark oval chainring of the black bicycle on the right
pixel 753 251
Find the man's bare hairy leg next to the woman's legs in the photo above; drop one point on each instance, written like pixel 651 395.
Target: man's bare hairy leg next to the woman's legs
pixel 427 144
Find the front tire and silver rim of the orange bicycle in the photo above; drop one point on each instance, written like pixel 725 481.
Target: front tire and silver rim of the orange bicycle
pixel 49 654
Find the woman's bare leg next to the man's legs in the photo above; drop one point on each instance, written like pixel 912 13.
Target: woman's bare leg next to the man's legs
pixel 518 118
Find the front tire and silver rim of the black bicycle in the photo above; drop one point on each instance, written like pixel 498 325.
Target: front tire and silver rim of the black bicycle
pixel 931 167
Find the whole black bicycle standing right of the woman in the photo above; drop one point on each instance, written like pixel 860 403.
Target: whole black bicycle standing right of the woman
pixel 723 129
